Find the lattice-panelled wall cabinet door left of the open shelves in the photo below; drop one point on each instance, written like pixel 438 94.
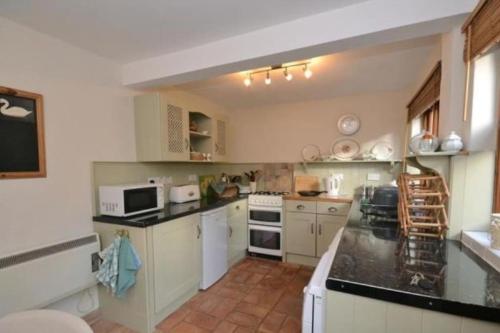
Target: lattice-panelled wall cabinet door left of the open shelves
pixel 175 132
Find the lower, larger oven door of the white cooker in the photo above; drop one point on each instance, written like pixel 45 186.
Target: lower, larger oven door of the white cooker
pixel 265 240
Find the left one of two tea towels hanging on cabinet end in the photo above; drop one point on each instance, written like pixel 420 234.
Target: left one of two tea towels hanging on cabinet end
pixel 108 270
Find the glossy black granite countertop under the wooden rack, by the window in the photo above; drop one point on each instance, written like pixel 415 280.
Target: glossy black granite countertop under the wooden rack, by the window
pixel 375 260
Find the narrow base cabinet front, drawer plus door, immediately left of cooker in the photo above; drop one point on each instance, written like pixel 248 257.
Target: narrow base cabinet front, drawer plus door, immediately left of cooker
pixel 238 231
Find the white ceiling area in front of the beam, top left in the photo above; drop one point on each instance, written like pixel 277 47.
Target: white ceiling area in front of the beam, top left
pixel 127 30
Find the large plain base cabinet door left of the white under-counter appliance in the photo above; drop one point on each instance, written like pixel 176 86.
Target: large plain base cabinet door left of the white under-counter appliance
pixel 175 244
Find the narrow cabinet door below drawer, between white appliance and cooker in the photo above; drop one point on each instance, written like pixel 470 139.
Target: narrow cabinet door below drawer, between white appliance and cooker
pixel 238 237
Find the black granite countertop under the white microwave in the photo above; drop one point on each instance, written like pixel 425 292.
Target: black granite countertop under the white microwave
pixel 171 211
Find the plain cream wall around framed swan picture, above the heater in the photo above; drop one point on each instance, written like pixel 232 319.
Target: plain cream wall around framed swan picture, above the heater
pixel 88 116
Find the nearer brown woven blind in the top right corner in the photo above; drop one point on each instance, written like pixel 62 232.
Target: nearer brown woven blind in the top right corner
pixel 482 29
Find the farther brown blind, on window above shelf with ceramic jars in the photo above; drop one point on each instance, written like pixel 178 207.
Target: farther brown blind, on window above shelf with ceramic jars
pixel 427 96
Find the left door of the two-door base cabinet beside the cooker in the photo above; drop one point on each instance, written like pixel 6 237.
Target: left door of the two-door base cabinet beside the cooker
pixel 301 233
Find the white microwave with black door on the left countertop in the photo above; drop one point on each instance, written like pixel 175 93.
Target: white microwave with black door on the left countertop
pixel 127 200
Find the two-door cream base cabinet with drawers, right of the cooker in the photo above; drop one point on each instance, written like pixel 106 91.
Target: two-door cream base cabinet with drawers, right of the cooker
pixel 310 227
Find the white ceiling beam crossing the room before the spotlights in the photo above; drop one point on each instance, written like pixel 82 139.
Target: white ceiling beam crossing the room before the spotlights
pixel 364 24
